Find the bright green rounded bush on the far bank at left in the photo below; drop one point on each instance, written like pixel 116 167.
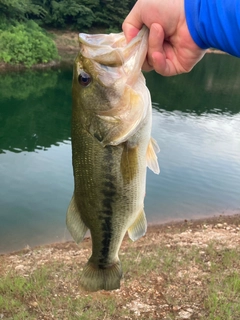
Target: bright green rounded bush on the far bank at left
pixel 26 44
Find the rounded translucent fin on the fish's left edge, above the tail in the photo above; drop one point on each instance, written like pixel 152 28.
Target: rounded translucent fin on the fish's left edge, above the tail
pixel 75 225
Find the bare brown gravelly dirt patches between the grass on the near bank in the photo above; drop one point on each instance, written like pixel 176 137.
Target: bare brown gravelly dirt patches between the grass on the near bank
pixel 145 297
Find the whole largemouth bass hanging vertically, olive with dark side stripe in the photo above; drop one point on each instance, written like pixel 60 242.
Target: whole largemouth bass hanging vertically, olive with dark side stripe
pixel 111 149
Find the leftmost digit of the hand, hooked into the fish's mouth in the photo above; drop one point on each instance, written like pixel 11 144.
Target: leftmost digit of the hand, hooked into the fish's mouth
pixel 133 23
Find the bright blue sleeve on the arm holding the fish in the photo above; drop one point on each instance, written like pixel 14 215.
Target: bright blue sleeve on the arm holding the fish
pixel 215 24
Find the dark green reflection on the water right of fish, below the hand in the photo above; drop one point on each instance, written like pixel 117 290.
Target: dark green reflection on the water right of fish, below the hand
pixel 211 87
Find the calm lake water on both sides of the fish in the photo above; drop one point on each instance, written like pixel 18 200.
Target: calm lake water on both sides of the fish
pixel 196 121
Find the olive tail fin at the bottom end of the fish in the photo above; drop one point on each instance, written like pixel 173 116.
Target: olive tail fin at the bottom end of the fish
pixel 94 278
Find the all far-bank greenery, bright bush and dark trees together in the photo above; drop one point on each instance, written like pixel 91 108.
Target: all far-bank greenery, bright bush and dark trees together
pixel 22 24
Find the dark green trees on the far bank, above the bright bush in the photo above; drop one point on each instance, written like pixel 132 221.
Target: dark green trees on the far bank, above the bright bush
pixel 74 14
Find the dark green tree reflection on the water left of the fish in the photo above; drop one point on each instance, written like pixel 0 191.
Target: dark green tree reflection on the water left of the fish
pixel 35 109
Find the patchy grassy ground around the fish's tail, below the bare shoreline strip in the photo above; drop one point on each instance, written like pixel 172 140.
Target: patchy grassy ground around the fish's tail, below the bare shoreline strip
pixel 159 282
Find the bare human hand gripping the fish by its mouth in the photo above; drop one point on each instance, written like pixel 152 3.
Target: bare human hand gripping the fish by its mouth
pixel 171 49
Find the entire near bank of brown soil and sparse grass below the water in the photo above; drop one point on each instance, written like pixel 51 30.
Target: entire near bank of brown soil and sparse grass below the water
pixel 170 273
